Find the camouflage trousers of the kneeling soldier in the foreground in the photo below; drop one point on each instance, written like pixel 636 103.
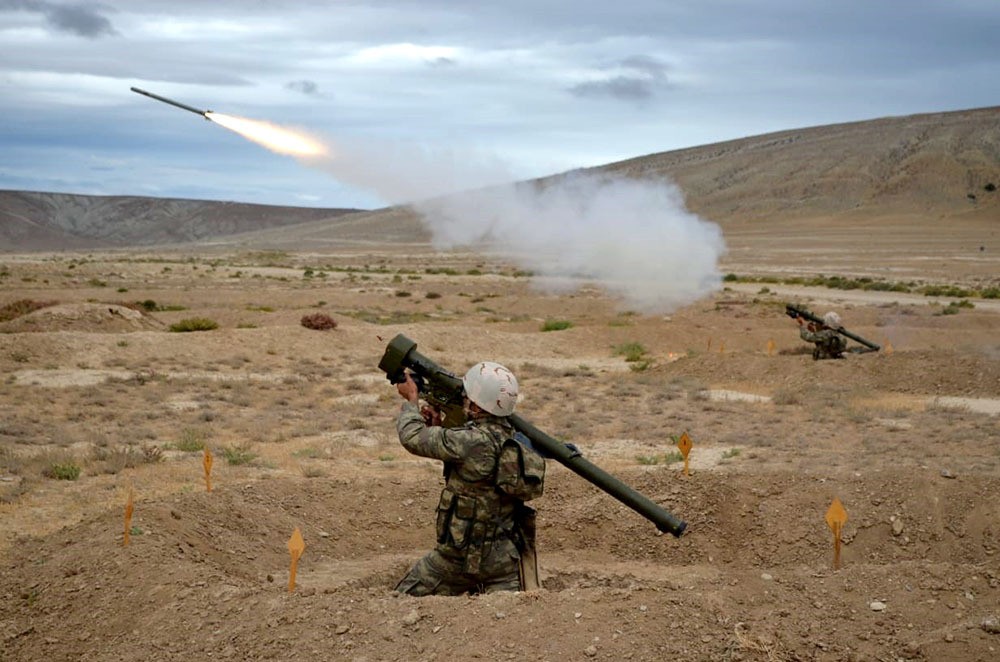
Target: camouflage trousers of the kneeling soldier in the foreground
pixel 443 571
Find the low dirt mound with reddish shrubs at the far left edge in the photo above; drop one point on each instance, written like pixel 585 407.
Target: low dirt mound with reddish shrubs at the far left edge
pixel 87 317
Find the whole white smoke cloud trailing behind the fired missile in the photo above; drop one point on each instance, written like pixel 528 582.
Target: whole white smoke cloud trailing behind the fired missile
pixel 634 238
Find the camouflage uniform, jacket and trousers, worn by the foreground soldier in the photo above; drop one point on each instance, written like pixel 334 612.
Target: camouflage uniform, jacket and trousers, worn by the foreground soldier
pixel 477 537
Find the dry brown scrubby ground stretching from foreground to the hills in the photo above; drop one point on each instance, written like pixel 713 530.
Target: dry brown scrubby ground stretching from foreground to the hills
pixel 300 424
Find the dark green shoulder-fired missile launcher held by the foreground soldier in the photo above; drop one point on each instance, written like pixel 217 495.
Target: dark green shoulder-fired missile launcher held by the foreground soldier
pixel 444 390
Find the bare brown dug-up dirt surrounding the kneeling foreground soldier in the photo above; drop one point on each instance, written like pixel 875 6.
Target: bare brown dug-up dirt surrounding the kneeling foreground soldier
pixel 206 575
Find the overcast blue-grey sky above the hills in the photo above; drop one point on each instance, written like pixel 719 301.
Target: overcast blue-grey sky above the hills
pixel 452 89
